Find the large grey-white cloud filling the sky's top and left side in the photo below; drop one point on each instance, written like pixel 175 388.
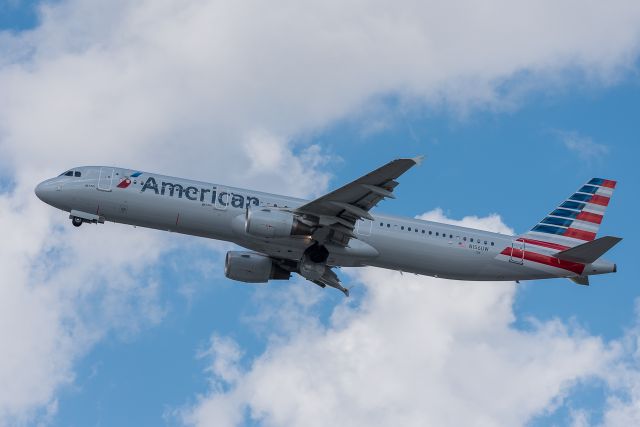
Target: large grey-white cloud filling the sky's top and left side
pixel 217 91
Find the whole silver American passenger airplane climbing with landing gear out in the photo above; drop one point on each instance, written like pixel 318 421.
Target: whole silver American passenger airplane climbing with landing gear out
pixel 284 235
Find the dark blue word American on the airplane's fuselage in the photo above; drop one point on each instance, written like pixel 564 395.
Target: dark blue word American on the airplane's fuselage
pixel 204 195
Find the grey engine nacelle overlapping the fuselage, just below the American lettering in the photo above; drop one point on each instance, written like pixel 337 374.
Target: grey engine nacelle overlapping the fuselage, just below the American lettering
pixel 267 222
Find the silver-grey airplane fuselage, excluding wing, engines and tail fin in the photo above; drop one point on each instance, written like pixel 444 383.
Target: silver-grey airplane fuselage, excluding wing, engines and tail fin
pixel 218 212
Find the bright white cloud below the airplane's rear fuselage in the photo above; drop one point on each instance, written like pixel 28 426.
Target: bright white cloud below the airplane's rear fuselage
pixel 416 351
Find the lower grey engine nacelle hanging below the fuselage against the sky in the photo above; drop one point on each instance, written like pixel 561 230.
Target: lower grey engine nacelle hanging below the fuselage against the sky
pixel 251 267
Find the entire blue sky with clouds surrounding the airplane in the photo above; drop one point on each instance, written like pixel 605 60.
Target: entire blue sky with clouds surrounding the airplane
pixel 514 105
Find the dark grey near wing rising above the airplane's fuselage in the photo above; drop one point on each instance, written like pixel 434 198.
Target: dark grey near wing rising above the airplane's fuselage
pixel 338 211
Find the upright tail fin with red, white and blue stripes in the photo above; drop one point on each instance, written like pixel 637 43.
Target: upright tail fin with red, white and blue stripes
pixel 577 219
